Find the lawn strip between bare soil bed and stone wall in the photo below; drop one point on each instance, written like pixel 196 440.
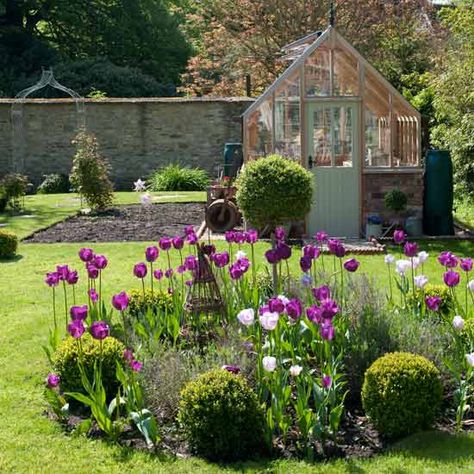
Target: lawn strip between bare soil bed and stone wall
pixel 43 210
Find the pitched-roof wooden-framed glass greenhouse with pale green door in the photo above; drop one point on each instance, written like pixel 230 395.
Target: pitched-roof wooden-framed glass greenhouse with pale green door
pixel 337 115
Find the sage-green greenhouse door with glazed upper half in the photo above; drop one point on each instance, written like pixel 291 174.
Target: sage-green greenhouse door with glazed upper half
pixel 333 157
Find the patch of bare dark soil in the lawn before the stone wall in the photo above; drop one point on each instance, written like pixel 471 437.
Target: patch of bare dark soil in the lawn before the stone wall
pixel 124 223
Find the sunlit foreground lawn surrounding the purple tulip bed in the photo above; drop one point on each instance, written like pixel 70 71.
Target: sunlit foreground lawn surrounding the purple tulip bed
pixel 31 443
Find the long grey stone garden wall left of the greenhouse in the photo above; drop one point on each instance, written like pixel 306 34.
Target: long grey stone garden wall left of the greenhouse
pixel 136 135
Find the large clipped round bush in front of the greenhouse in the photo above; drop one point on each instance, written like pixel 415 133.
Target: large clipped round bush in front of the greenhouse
pixel 274 190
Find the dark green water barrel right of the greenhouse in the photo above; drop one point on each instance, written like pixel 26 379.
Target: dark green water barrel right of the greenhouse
pixel 438 194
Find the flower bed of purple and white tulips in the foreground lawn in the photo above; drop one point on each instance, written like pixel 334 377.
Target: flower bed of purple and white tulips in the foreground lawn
pixel 301 343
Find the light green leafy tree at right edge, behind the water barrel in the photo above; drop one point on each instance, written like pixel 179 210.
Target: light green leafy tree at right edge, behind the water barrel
pixel 454 97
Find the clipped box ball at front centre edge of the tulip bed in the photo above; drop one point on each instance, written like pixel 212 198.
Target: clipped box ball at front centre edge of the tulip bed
pixel 221 417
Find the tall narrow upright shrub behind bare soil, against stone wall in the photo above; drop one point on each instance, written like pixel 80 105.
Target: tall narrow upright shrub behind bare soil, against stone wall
pixel 90 173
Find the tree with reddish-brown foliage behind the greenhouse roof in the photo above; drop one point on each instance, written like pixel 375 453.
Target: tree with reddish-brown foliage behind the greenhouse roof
pixel 245 37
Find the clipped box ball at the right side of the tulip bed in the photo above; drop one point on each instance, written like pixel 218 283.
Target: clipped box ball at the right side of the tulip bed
pixel 402 393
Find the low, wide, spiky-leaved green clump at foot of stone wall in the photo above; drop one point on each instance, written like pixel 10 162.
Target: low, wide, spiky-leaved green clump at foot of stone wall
pixel 177 178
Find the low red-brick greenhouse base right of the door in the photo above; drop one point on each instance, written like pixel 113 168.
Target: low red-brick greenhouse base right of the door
pixel 377 184
